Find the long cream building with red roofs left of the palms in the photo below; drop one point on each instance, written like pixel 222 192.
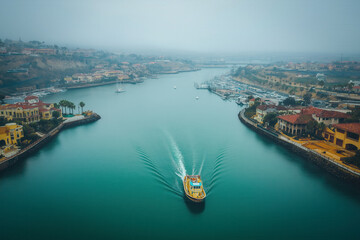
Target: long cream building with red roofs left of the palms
pixel 32 110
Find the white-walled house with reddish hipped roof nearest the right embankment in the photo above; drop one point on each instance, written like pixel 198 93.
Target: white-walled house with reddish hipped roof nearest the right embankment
pixel 294 124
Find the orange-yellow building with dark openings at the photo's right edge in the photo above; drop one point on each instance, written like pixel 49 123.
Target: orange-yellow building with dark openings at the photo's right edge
pixel 345 135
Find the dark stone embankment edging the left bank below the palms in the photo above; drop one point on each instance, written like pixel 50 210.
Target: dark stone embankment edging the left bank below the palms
pixel 38 144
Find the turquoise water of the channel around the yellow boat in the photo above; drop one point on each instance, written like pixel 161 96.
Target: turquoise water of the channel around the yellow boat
pixel 120 177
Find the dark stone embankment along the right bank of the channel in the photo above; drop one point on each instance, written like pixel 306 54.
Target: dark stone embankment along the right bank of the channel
pixel 325 163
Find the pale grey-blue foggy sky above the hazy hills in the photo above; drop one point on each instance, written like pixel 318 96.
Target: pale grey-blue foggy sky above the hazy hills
pixel 216 26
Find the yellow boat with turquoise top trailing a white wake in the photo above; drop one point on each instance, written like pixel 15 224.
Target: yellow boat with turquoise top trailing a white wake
pixel 193 188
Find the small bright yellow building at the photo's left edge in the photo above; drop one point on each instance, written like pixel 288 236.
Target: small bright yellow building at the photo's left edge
pixel 11 134
